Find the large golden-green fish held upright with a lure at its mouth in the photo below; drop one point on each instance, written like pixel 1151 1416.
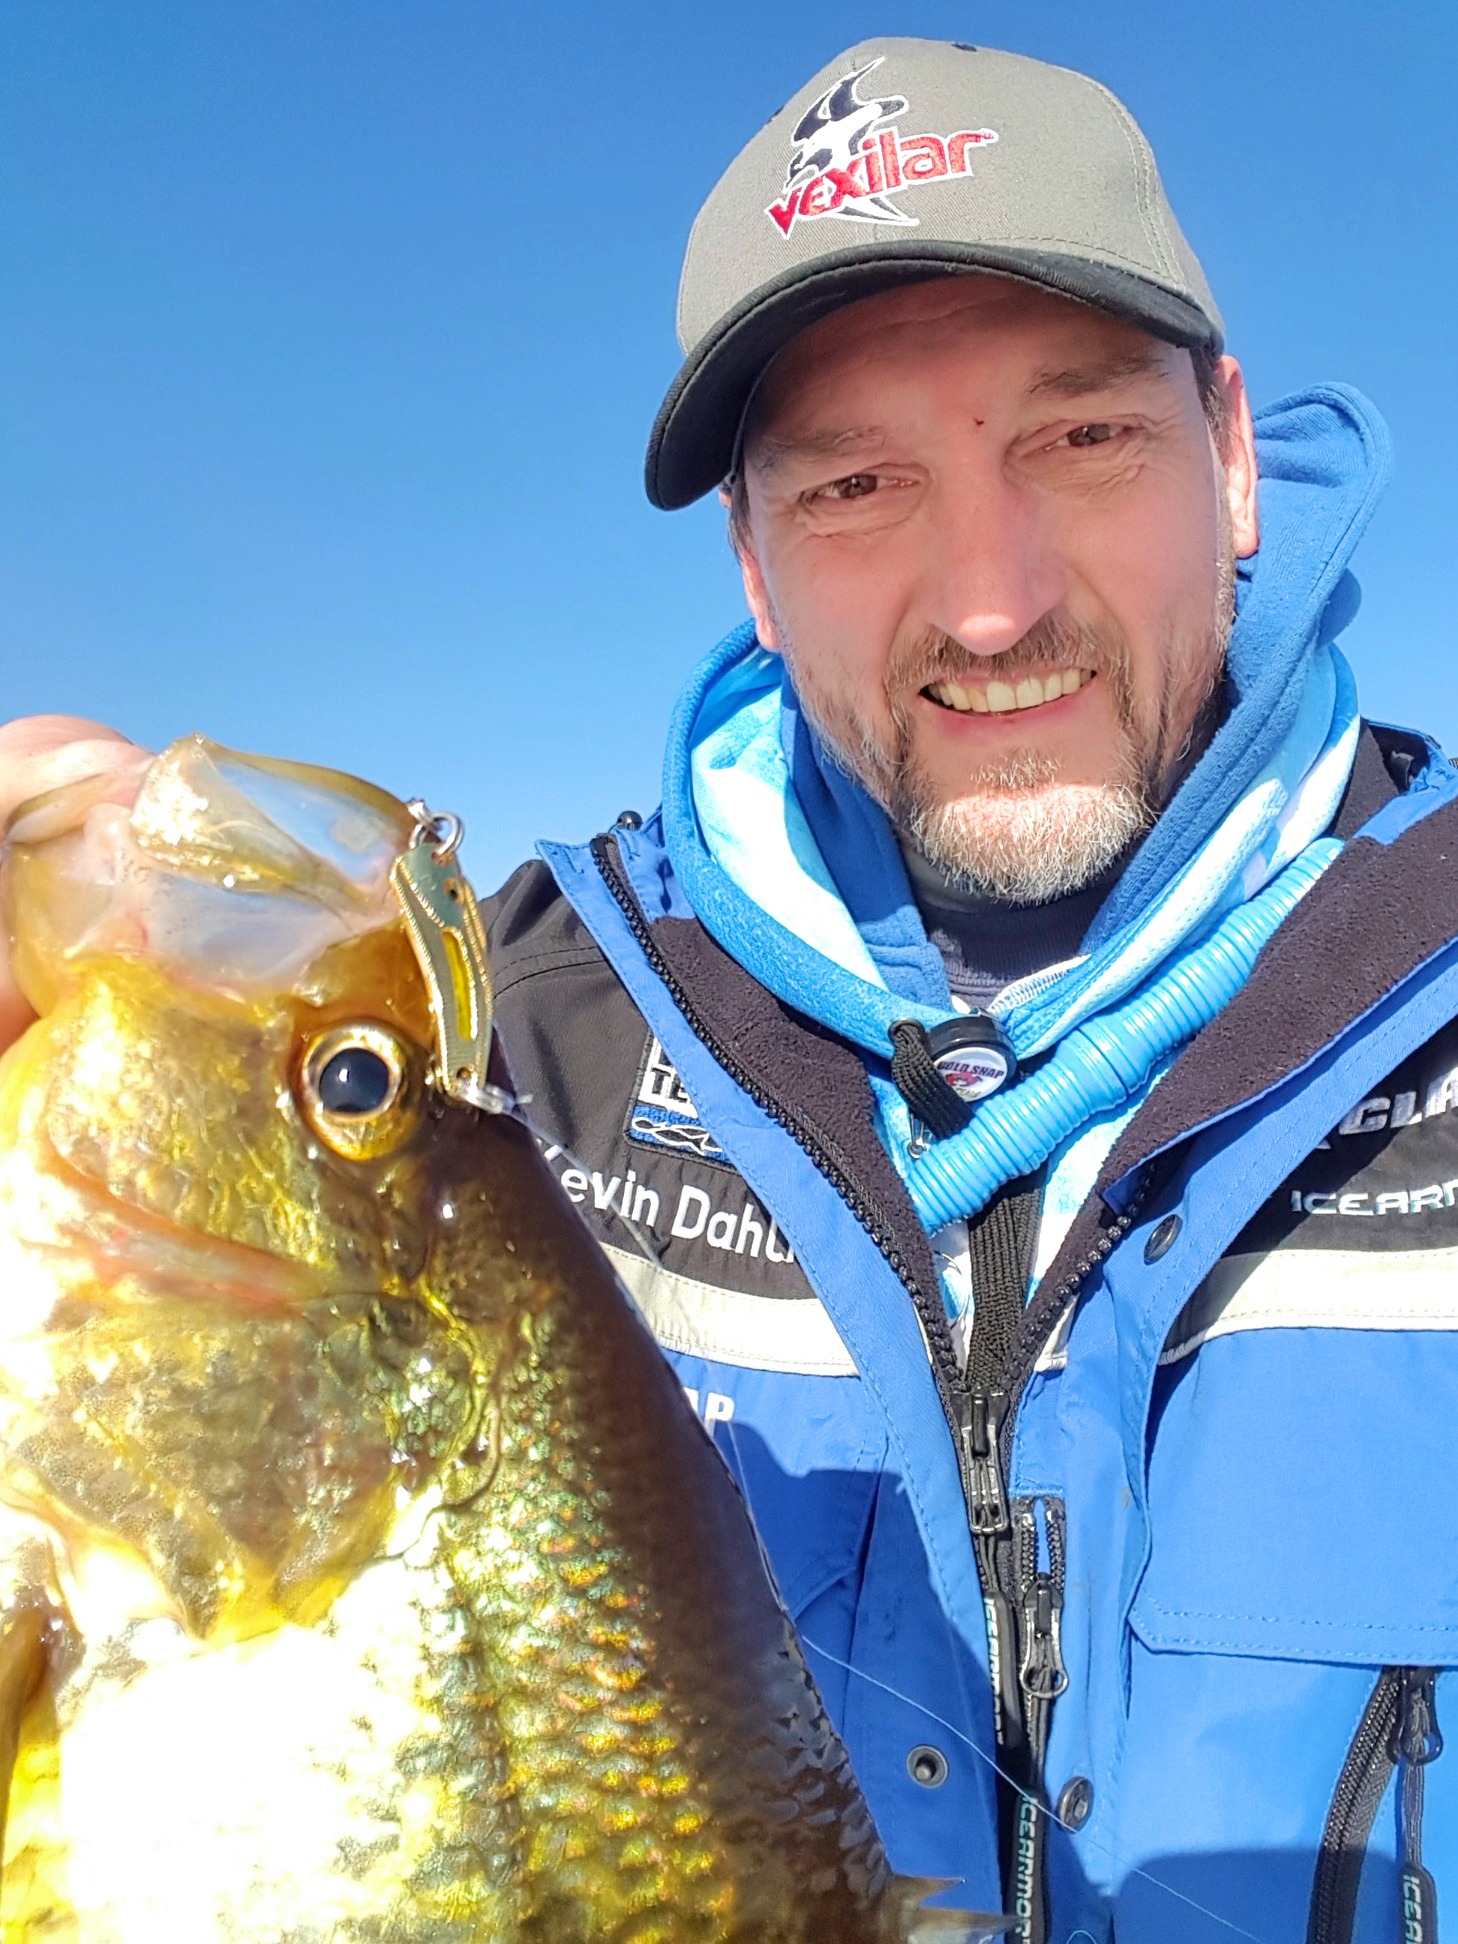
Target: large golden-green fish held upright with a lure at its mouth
pixel 366 1576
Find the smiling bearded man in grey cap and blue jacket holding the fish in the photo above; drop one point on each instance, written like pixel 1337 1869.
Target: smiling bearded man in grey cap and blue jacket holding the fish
pixel 1016 1072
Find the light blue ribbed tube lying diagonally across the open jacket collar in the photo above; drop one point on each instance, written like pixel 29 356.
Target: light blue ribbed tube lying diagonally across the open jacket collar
pixel 1107 1060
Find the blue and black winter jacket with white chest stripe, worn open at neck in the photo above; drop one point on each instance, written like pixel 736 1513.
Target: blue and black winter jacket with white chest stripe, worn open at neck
pixel 1228 1543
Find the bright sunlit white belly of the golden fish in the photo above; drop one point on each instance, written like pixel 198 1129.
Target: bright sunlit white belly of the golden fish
pixel 289 1788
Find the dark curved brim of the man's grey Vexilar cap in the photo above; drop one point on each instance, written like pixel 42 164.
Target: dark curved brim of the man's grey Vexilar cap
pixel 693 442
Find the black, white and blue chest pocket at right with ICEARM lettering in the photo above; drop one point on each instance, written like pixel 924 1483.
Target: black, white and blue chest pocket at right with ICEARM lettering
pixel 1307 1405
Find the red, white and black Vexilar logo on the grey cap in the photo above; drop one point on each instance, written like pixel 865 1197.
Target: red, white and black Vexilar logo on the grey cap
pixel 849 160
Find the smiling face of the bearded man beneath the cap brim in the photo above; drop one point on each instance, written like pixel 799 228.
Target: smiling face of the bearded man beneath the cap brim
pixel 994 539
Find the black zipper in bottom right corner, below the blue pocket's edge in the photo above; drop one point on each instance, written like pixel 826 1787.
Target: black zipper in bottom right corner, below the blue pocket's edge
pixel 1399 1731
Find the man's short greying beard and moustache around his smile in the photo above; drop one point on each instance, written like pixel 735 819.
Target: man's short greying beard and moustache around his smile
pixel 1018 829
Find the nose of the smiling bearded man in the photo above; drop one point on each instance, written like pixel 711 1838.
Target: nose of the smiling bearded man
pixel 996 571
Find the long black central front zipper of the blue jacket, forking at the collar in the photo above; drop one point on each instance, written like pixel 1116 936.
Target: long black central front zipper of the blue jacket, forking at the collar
pixel 983 1428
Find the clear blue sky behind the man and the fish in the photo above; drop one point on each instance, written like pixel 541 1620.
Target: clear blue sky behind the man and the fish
pixel 331 333
